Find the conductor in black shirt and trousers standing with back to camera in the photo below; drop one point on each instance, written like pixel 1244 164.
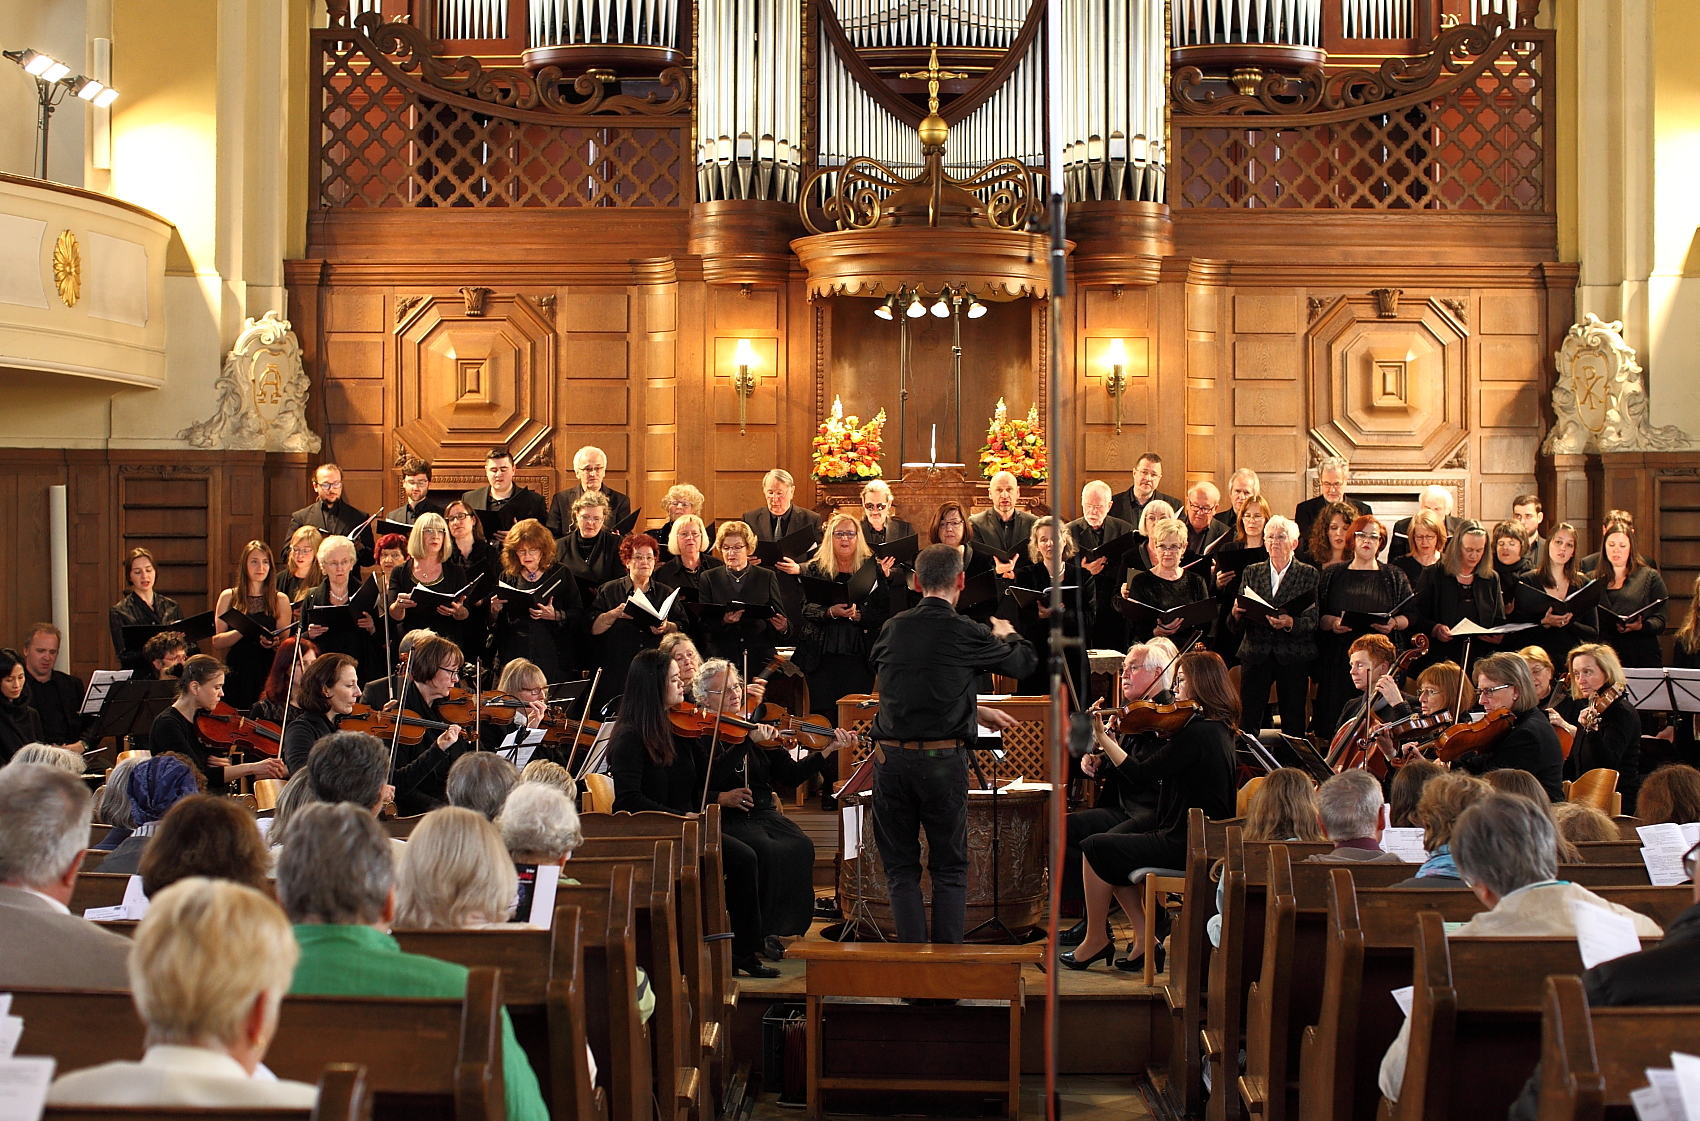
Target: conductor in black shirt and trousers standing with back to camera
pixel 927 661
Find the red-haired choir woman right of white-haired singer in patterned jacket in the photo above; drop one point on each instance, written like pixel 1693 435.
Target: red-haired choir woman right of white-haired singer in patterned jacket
pixel 1363 584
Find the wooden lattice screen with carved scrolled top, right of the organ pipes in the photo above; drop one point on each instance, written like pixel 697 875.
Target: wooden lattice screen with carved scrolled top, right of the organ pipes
pixel 1461 128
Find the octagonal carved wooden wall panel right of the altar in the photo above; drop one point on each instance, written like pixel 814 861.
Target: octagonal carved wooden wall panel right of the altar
pixel 1388 390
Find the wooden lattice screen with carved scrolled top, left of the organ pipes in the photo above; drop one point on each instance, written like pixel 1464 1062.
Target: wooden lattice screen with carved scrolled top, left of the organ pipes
pixel 399 127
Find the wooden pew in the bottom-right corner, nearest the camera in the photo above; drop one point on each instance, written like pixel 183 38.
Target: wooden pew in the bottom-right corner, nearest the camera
pixel 1592 1059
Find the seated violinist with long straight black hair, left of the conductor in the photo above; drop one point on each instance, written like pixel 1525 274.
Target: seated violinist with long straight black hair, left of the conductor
pixel 657 770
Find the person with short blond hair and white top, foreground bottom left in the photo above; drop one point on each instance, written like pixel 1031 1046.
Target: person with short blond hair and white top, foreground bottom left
pixel 210 972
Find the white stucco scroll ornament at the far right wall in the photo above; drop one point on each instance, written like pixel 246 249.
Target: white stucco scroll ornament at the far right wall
pixel 1601 401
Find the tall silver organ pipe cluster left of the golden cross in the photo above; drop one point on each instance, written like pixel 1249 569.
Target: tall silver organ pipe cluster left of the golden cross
pixel 749 100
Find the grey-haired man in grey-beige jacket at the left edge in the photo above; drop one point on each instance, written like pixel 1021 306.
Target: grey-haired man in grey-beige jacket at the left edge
pixel 43 833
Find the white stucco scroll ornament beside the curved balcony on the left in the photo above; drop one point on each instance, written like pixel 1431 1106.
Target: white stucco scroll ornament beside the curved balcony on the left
pixel 263 394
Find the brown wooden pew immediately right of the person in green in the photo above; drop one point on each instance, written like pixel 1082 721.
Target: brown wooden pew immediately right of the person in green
pixel 543 991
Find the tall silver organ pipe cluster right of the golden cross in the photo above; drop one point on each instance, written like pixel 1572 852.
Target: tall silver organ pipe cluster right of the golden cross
pixel 1113 115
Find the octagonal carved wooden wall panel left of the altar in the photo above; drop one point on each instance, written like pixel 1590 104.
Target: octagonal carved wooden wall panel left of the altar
pixel 468 384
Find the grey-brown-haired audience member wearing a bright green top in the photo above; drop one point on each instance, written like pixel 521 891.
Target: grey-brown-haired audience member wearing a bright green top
pixel 337 882
